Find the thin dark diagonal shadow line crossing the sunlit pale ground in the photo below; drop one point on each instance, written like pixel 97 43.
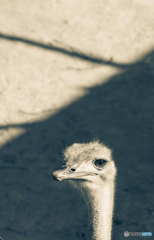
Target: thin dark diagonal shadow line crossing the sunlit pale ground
pixel 69 52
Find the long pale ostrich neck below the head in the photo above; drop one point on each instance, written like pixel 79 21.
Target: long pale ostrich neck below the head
pixel 100 203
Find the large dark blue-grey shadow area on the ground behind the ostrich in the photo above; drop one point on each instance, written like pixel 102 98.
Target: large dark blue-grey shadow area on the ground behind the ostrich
pixel 119 112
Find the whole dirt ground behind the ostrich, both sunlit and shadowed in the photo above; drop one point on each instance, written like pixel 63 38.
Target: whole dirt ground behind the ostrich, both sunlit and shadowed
pixel 71 71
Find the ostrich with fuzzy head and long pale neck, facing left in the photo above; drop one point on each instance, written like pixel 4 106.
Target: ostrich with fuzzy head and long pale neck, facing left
pixel 90 168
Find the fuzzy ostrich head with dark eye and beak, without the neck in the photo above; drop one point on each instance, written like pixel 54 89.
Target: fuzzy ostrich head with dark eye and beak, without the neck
pixel 87 164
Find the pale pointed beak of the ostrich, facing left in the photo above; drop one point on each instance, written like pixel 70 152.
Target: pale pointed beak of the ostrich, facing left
pixel 67 174
